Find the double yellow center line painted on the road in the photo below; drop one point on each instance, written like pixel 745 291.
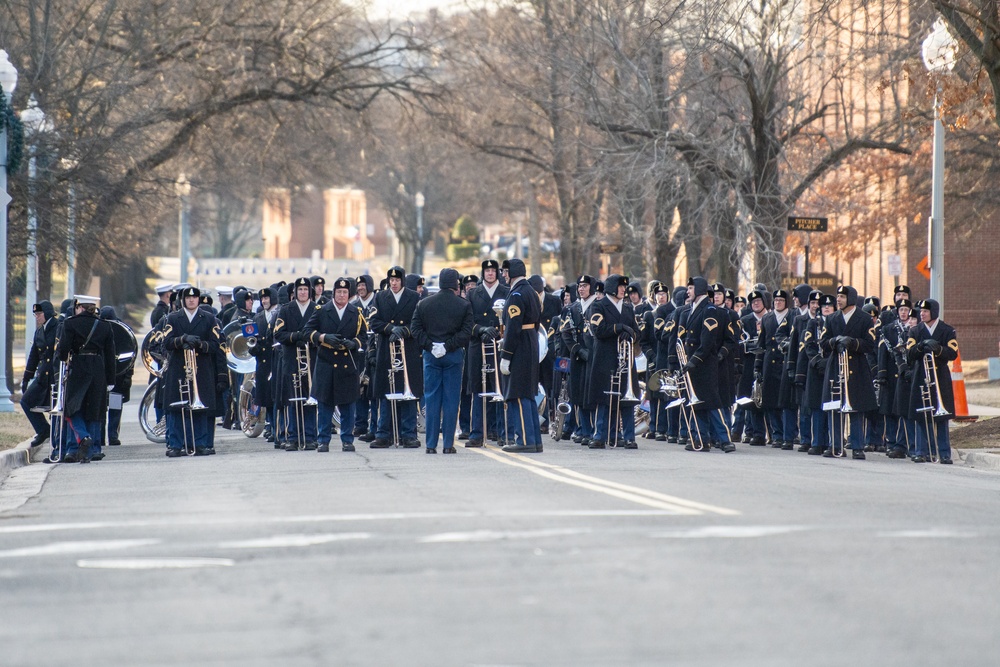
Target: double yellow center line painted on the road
pixel 622 491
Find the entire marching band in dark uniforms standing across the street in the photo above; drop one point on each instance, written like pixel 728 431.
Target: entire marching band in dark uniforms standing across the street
pixel 502 358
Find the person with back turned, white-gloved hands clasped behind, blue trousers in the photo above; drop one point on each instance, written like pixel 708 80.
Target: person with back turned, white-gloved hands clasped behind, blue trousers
pixel 442 326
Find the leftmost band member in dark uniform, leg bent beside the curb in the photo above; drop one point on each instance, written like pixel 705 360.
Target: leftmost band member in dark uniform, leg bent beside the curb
pixel 40 371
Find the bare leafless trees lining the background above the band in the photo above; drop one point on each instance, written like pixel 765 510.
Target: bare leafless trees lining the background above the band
pixel 673 127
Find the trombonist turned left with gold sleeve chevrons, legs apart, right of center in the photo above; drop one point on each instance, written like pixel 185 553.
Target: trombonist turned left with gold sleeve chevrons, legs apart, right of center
pixel 702 340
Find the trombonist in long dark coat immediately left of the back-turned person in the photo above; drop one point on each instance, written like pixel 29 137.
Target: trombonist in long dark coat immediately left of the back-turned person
pixel 390 320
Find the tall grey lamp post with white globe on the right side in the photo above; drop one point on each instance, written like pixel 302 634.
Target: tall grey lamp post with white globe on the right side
pixel 939 57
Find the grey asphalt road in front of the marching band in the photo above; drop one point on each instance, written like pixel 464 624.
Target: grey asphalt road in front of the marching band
pixel 571 557
